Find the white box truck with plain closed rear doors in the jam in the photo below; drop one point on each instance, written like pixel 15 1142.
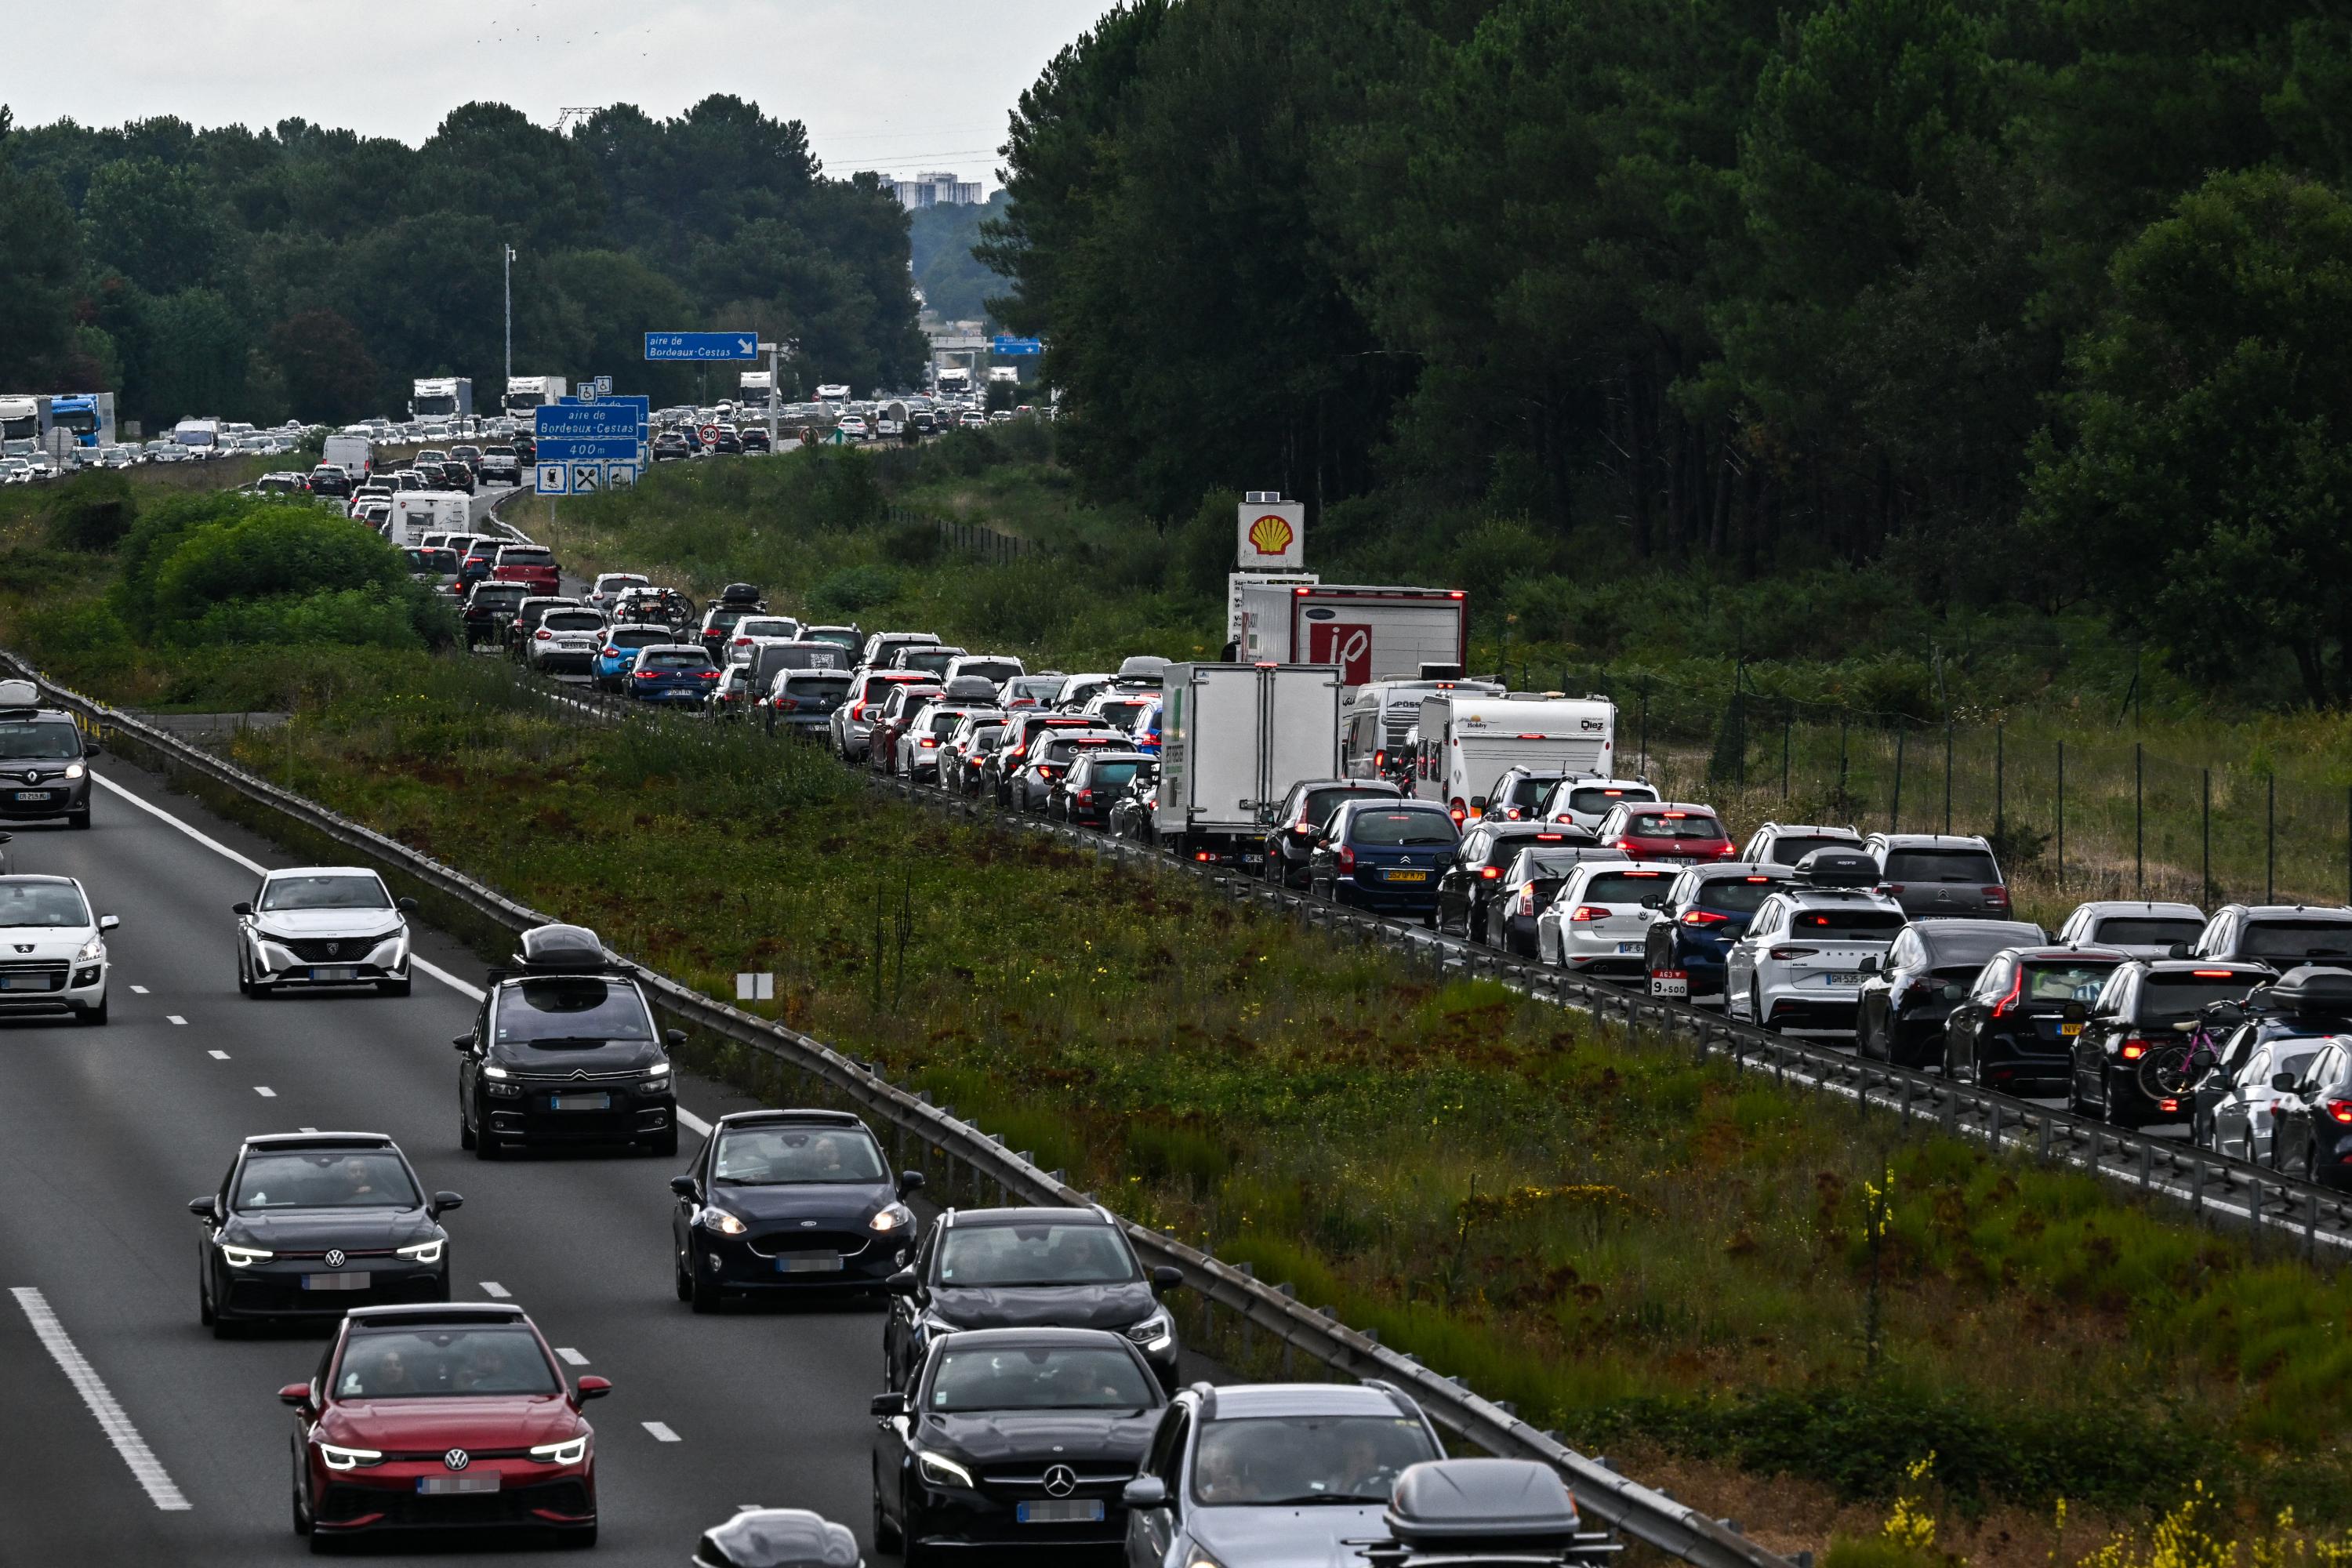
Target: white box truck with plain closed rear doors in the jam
pixel 1234 739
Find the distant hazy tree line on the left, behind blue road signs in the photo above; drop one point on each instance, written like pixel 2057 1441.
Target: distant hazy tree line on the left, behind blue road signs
pixel 309 272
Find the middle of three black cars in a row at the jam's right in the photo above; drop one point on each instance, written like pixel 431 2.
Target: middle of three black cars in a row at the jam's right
pixel 2019 1021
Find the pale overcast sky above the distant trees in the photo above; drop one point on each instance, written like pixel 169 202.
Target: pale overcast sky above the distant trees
pixel 893 86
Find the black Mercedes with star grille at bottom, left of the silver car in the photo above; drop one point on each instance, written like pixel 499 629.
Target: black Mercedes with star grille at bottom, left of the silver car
pixel 1015 1440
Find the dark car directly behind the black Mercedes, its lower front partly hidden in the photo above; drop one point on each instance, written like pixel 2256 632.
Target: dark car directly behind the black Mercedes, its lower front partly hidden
pixel 1027 1268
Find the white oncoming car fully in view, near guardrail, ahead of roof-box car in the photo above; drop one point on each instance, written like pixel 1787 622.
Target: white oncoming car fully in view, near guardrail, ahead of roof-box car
pixel 323 925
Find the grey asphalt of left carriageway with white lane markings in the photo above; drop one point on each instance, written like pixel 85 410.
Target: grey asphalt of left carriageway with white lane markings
pixel 109 1132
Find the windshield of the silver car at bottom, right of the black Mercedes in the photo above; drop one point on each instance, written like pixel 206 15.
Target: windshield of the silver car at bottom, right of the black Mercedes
pixel 1285 1461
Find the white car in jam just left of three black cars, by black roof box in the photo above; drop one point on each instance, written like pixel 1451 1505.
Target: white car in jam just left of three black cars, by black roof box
pixel 1808 953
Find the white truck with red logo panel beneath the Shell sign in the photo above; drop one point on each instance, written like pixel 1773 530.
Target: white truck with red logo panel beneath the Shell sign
pixel 1365 631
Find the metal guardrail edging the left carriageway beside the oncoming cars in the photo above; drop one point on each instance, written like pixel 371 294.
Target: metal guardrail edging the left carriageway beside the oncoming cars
pixel 1617 1501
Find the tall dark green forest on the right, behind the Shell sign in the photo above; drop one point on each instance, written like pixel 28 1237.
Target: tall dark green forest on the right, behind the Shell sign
pixel 2024 300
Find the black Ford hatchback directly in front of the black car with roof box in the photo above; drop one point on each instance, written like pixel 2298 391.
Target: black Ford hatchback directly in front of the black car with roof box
pixel 789 1202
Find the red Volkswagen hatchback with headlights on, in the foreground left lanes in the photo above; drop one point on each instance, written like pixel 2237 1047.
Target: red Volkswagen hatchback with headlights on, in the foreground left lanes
pixel 441 1416
